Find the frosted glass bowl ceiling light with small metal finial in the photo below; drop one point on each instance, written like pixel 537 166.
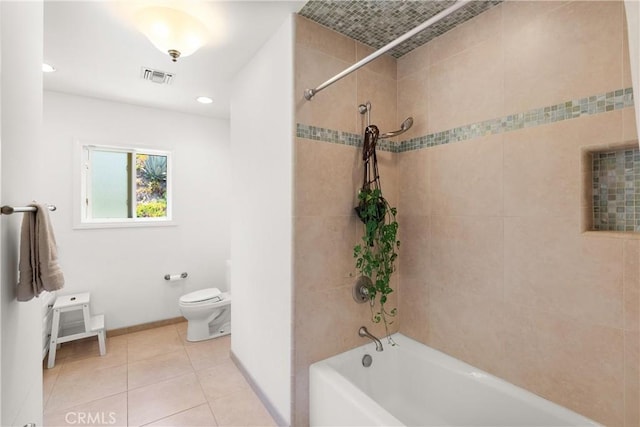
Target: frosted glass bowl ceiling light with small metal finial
pixel 172 31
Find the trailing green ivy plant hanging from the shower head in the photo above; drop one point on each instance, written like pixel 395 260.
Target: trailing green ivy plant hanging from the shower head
pixel 376 254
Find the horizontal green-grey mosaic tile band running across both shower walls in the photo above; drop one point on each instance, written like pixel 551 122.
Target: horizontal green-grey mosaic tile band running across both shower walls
pixel 595 104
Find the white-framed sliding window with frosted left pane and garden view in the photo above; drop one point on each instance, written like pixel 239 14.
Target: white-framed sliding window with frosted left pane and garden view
pixel 125 185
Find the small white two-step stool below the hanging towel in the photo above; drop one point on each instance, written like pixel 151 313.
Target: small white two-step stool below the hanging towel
pixel 91 325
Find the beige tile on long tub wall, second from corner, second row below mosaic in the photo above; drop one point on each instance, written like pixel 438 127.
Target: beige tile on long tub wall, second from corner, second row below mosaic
pixel 466 255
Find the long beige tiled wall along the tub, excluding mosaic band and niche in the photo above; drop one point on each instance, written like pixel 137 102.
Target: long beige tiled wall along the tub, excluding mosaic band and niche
pixel 495 267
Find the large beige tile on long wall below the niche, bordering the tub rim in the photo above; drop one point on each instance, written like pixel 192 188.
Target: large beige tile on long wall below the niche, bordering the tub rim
pixel 575 364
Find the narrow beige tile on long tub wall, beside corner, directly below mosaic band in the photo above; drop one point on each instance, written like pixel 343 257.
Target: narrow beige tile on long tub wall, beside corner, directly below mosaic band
pixel 413 182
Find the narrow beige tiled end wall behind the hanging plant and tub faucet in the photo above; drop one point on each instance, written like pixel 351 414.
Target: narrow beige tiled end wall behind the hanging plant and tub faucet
pixel 327 176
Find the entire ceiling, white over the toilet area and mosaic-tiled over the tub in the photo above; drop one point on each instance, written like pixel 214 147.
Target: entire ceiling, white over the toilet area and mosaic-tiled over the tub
pixel 98 52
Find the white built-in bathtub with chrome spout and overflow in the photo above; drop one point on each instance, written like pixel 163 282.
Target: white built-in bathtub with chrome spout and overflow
pixel 414 385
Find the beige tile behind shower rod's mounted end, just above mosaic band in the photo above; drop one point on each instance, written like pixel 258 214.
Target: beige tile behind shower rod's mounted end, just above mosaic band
pixel 335 107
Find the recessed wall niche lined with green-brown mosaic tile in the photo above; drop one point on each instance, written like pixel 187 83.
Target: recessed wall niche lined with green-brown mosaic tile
pixel 615 189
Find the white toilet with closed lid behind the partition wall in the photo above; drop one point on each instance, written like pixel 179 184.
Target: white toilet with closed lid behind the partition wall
pixel 208 312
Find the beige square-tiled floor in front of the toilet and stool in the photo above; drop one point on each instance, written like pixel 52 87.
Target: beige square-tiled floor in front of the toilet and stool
pixel 150 378
